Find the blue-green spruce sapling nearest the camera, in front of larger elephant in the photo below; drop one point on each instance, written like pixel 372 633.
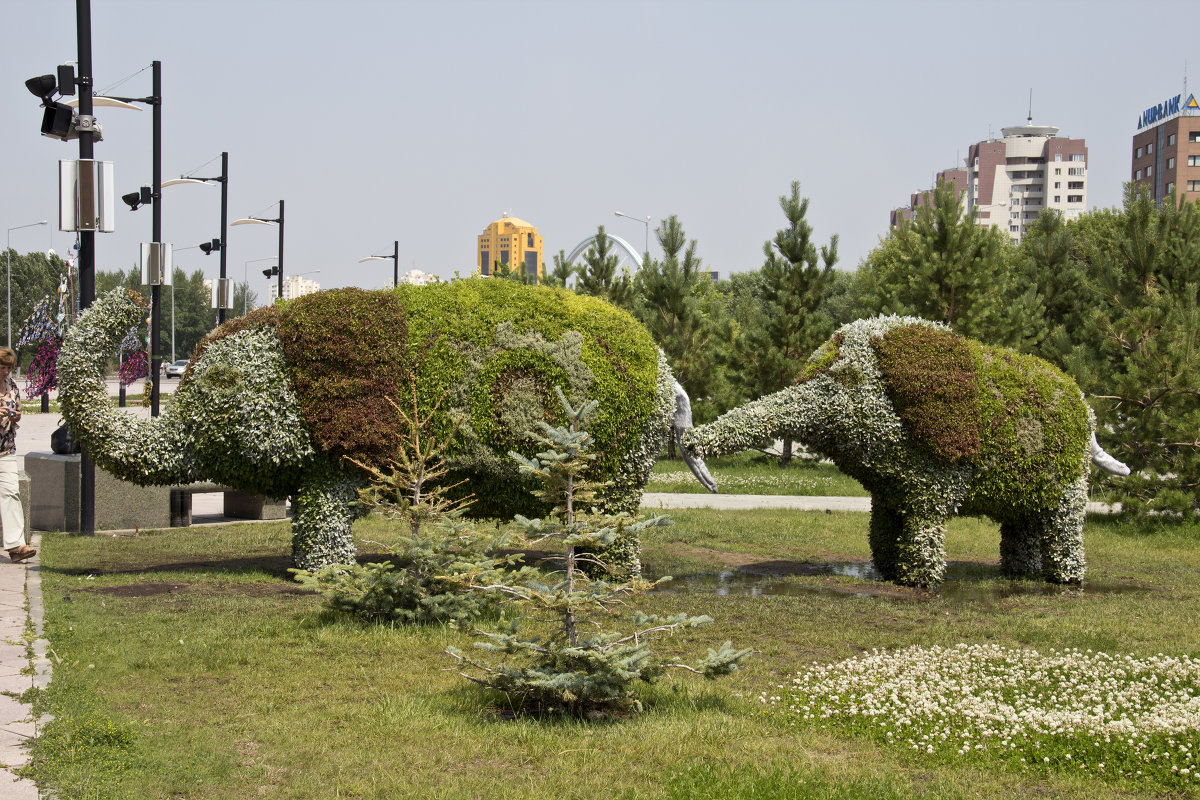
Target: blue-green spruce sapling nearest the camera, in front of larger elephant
pixel 577 667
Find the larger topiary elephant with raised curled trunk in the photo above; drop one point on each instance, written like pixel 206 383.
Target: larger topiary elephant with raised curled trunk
pixel 278 401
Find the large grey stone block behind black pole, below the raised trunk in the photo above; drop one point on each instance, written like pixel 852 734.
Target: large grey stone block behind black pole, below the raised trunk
pixel 121 506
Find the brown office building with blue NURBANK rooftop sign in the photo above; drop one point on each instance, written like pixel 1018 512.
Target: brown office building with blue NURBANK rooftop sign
pixel 1167 151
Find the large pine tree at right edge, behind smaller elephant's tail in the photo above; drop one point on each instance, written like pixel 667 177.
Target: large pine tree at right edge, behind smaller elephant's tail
pixel 1141 356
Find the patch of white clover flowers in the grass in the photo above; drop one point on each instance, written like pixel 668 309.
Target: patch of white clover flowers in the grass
pixel 1138 718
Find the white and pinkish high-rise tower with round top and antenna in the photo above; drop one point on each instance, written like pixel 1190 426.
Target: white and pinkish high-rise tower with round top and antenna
pixel 1013 179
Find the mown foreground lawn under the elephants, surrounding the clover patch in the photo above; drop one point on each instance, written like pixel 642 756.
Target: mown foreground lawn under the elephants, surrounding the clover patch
pixel 189 666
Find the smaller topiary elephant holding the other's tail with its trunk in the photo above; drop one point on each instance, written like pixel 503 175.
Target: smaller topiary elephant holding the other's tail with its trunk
pixel 935 425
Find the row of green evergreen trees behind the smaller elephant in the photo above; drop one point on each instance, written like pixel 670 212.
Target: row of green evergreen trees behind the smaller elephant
pixel 1111 298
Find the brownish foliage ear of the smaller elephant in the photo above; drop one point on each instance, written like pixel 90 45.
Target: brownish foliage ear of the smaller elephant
pixel 931 376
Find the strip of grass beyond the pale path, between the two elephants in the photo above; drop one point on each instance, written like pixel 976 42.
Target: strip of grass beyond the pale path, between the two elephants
pixel 757 474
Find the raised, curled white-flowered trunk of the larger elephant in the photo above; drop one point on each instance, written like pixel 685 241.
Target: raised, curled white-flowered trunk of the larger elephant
pixel 141 452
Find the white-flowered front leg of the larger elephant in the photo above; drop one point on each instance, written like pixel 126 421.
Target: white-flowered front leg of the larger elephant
pixel 321 522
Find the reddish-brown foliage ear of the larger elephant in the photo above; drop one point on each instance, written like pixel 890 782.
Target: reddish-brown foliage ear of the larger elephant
pixel 347 353
